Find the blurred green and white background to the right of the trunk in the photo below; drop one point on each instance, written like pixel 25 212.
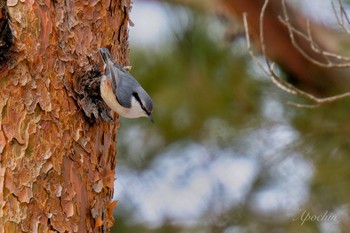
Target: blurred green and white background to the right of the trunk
pixel 226 154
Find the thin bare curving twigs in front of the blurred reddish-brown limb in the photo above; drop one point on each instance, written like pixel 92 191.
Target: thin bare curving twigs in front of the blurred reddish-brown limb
pixel 269 71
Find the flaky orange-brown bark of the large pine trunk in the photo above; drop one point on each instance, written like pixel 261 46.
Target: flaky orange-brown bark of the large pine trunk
pixel 57 164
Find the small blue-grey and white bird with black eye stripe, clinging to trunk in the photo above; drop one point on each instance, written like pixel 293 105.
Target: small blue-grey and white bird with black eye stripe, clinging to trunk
pixel 121 91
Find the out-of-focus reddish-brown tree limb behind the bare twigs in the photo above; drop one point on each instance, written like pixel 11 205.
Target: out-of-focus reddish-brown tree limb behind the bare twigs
pixel 304 49
